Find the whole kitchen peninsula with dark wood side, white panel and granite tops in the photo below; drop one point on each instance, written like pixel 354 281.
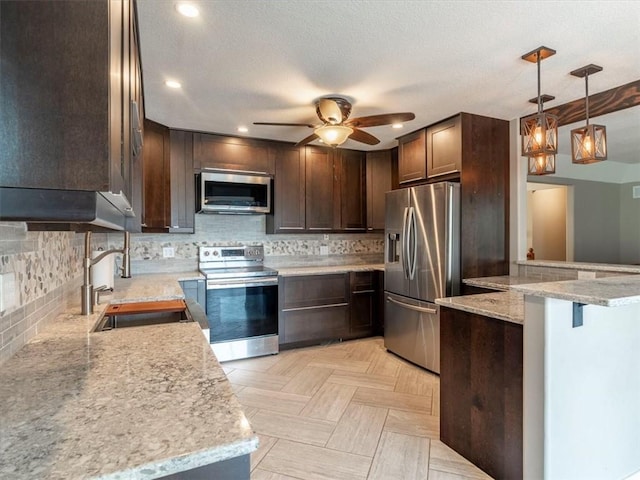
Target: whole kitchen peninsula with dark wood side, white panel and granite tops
pixel 580 388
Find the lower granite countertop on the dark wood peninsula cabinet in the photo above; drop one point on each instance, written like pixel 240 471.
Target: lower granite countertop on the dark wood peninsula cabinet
pixel 507 306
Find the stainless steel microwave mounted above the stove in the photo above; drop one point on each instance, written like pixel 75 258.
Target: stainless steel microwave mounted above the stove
pixel 224 191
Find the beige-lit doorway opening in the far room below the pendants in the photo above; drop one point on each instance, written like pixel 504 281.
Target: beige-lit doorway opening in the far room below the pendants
pixel 550 221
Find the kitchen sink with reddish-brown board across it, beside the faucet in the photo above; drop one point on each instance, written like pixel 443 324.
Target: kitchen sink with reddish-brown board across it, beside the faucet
pixel 143 314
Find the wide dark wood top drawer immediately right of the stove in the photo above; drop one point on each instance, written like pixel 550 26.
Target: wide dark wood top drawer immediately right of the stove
pixel 314 290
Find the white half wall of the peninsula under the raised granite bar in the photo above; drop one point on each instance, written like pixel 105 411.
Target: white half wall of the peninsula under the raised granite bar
pixel 590 394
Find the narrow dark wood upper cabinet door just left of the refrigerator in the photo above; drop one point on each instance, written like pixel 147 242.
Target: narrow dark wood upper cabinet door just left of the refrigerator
pixel 379 181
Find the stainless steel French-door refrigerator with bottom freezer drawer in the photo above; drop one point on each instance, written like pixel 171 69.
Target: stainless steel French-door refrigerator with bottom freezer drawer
pixel 422 263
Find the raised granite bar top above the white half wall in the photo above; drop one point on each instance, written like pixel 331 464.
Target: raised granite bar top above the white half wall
pixel 606 292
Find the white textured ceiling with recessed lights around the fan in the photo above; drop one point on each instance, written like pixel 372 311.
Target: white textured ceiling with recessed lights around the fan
pixel 258 60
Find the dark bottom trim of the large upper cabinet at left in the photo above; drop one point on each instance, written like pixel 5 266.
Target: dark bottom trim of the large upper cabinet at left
pixel 70 209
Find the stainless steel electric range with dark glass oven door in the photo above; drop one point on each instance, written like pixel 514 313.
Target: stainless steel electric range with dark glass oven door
pixel 242 301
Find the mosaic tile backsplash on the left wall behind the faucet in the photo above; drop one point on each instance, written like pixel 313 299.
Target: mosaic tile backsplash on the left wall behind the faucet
pixel 38 273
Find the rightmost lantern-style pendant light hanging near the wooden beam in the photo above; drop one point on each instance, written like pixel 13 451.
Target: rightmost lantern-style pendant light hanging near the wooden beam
pixel 589 143
